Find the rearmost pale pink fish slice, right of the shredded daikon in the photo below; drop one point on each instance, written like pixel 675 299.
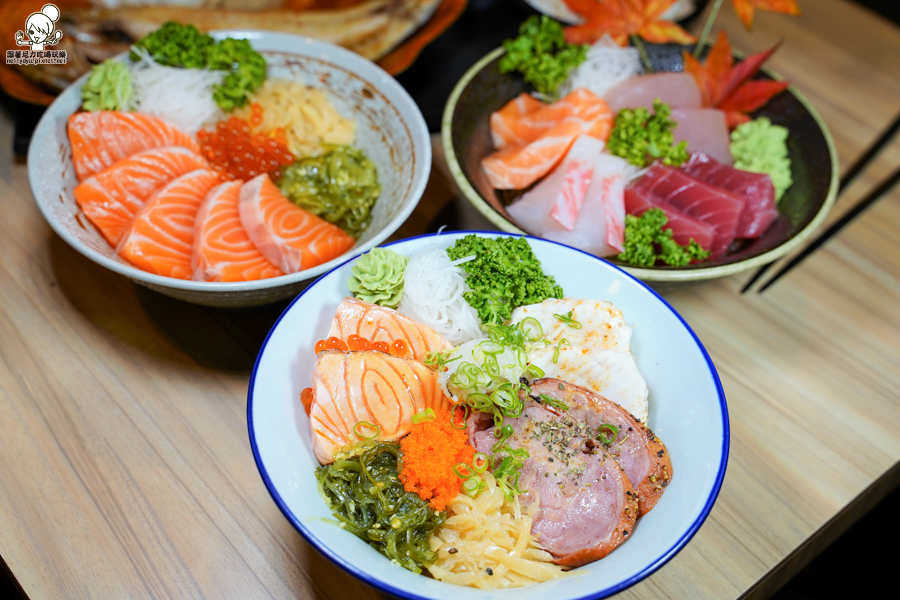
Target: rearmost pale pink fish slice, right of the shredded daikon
pixel 675 89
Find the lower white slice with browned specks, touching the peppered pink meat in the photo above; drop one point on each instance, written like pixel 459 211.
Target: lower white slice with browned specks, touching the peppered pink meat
pixel 614 375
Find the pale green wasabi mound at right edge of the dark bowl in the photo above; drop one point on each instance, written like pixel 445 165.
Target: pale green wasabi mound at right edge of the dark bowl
pixel 761 147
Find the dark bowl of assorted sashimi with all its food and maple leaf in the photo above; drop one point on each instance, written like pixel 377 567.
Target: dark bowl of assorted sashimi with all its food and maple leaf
pixel 673 167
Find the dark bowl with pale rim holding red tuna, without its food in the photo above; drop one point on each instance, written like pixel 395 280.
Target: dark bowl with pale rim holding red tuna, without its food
pixel 814 166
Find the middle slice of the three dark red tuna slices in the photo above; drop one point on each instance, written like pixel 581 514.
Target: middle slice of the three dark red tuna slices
pixel 714 206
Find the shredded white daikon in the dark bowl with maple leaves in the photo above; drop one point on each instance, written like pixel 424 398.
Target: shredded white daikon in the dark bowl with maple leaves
pixel 606 65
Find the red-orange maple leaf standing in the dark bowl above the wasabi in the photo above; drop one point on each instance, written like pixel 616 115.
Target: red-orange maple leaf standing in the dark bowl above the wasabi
pixel 729 87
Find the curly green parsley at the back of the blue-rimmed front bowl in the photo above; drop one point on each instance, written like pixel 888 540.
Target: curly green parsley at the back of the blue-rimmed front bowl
pixel 504 275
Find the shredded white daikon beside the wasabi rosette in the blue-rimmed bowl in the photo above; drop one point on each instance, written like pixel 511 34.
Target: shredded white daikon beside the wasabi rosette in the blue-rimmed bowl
pixel 433 294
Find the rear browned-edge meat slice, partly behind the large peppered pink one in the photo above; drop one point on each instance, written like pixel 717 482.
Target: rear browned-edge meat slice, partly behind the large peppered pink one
pixel 637 449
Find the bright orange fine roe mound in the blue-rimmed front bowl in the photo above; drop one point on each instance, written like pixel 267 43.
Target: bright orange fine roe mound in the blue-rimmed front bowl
pixel 429 453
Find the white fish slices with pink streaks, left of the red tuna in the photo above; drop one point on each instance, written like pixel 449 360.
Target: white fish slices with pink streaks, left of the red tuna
pixel 581 203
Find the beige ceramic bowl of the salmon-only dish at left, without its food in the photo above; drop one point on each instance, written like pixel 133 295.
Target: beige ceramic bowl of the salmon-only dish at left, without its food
pixel 390 128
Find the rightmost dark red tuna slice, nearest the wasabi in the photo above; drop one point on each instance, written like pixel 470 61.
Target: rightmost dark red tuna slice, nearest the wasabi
pixel 755 188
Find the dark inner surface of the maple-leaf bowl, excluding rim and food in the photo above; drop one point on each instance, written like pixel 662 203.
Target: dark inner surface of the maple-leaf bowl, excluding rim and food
pixel 808 146
